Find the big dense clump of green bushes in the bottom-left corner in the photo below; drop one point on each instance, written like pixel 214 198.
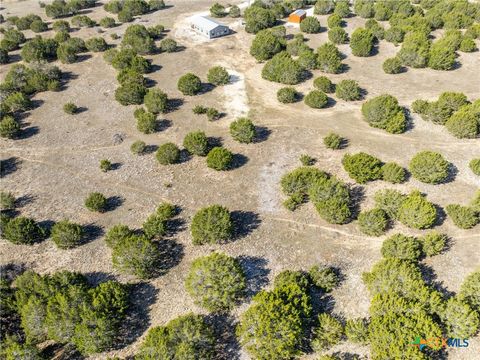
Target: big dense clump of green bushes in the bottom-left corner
pixel 65 308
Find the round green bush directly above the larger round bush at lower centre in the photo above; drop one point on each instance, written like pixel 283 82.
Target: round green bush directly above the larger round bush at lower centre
pixel 211 225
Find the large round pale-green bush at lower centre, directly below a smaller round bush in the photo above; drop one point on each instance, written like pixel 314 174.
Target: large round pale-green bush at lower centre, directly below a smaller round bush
pixel 216 282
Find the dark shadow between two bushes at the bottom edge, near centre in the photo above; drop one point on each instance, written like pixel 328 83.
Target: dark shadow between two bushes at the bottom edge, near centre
pixel 227 346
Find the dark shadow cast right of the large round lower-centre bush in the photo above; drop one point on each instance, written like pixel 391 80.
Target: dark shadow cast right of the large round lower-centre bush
pixel 256 273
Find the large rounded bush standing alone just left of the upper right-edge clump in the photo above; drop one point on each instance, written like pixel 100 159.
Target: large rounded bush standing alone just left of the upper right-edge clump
pixel 385 113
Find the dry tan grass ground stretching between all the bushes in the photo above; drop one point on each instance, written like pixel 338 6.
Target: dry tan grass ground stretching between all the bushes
pixel 56 167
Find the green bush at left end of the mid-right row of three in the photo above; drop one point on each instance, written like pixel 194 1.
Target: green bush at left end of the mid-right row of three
pixel 362 167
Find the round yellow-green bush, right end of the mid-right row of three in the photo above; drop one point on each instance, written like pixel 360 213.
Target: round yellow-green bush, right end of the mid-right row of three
pixel 429 167
